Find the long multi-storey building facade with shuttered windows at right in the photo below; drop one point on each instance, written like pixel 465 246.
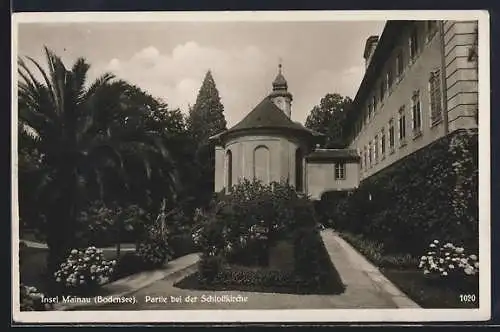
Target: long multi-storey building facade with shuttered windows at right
pixel 421 83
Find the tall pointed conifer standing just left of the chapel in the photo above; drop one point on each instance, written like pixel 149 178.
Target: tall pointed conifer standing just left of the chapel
pixel 206 118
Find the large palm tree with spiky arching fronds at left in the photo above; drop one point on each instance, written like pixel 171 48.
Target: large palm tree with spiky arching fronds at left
pixel 91 141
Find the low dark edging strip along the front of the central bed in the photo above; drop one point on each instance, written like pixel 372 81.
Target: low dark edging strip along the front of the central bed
pixel 288 283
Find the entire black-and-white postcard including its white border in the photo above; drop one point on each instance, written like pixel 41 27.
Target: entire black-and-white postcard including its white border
pixel 221 166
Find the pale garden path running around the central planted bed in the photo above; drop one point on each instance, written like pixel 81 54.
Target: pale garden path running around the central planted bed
pixel 365 288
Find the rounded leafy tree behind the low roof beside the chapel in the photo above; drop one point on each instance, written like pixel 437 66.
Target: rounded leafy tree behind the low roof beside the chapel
pixel 328 118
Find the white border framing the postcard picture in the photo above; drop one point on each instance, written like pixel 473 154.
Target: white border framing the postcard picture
pixel 235 316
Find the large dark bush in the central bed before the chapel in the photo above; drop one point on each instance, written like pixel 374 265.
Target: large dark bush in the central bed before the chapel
pixel 241 228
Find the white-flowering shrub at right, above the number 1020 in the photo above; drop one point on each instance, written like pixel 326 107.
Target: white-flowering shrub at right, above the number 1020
pixel 448 260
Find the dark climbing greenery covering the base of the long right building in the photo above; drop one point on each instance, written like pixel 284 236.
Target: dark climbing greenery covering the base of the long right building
pixel 430 194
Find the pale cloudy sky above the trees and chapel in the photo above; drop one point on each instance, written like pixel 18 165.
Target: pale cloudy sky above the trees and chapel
pixel 170 59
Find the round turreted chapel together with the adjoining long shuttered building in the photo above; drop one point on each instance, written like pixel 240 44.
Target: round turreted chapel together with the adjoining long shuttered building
pixel 420 84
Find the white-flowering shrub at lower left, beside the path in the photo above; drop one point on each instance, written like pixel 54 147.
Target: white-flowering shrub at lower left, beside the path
pixel 84 269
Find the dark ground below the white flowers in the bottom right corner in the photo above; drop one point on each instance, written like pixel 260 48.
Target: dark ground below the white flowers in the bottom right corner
pixel 427 294
